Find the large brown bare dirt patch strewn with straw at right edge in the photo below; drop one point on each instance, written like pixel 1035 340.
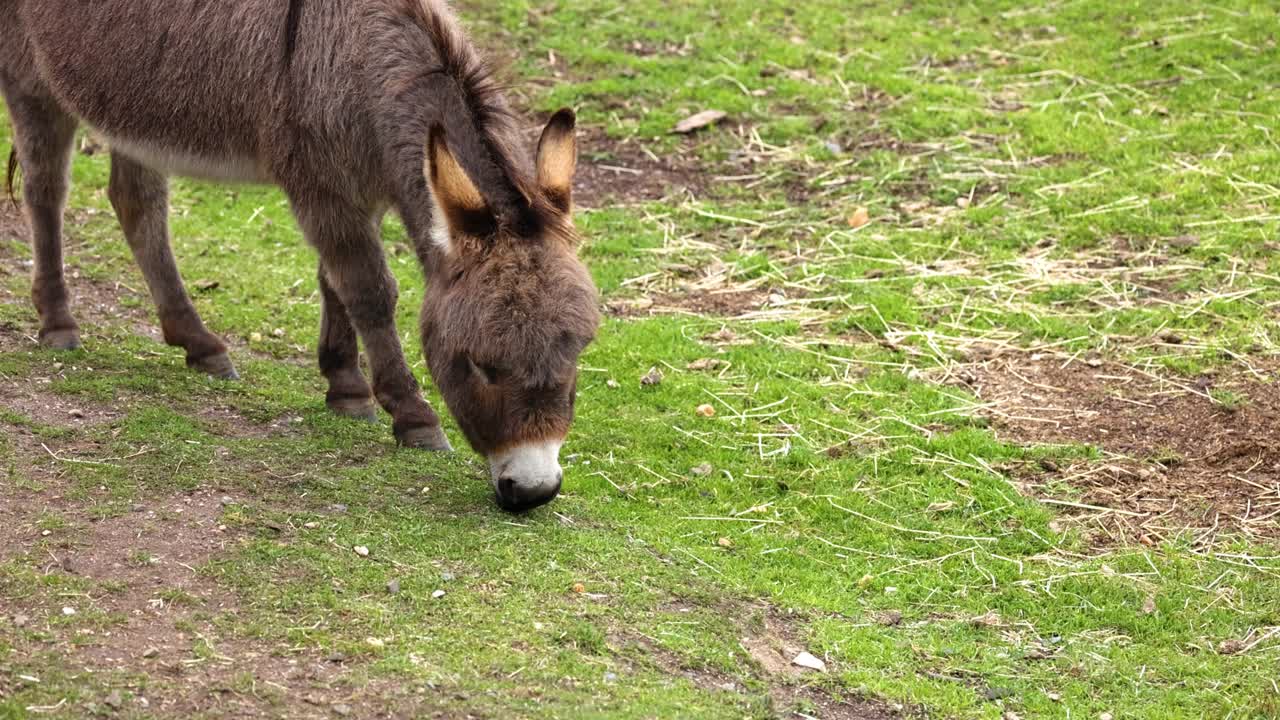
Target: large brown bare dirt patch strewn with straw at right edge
pixel 1199 454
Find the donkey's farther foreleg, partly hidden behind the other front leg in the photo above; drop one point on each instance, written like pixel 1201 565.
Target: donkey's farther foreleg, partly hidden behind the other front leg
pixel 340 359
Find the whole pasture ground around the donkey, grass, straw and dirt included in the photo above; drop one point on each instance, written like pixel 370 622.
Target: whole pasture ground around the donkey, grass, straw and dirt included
pixel 981 300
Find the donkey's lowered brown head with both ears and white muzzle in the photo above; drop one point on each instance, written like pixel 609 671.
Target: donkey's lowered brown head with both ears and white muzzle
pixel 508 312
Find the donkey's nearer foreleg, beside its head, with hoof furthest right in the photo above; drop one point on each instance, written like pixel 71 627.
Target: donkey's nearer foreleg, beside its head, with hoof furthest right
pixel 353 262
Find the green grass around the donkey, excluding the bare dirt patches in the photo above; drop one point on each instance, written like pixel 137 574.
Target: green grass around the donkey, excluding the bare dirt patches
pixel 1090 157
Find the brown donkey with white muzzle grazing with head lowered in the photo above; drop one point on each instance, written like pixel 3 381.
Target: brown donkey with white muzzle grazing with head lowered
pixel 351 110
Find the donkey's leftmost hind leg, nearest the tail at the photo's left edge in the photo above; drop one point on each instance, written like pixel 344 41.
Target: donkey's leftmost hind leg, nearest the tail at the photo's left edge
pixel 44 144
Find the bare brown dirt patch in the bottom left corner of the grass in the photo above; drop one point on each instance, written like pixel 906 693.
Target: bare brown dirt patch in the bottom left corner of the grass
pixel 161 617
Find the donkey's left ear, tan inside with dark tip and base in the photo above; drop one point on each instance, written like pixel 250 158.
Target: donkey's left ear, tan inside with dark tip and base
pixel 460 209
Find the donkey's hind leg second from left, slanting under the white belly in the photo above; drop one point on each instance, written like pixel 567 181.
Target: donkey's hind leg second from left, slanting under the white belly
pixel 141 199
